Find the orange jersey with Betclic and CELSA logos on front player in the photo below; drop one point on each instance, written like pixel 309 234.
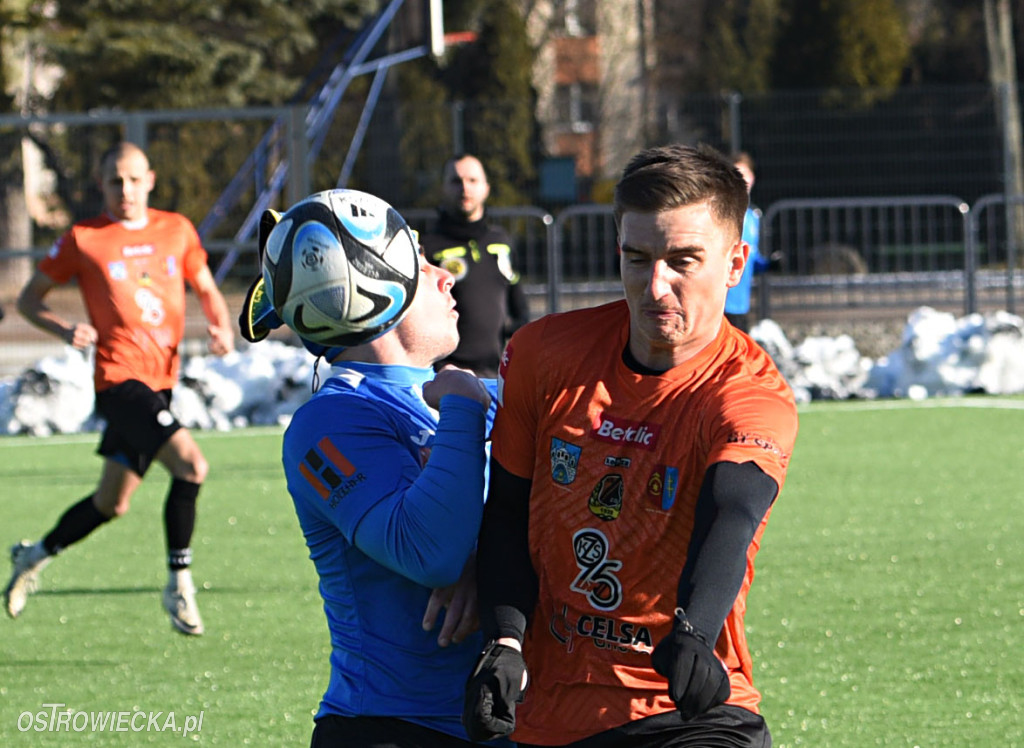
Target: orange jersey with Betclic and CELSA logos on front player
pixel 617 461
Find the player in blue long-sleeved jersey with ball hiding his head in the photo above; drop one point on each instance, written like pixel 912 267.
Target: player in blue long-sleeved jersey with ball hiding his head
pixel 386 466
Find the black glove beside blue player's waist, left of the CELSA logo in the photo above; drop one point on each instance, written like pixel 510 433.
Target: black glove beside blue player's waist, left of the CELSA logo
pixel 493 691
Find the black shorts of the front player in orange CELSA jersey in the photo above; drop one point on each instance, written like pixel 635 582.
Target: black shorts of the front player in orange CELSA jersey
pixel 723 727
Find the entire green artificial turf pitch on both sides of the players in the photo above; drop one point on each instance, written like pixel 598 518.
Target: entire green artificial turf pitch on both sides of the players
pixel 888 607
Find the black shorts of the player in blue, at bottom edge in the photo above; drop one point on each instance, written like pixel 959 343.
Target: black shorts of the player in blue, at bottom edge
pixel 334 731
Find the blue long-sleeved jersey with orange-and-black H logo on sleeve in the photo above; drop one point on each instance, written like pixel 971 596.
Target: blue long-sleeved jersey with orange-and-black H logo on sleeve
pixel 390 497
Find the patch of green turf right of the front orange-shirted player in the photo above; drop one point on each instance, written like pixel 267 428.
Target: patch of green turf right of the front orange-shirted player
pixel 889 604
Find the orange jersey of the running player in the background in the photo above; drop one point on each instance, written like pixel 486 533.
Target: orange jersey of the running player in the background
pixel 133 283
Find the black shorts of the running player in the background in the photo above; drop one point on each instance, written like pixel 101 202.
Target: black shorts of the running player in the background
pixel 139 424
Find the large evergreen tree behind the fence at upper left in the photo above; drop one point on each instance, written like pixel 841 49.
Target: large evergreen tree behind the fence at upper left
pixel 169 55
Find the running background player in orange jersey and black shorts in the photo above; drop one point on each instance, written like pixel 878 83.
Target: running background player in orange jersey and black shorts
pixel 132 265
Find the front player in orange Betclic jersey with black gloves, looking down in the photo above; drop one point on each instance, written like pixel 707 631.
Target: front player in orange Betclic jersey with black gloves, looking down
pixel 637 452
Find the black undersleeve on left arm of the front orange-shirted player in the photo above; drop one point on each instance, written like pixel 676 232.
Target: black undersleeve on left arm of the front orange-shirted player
pixel 507 586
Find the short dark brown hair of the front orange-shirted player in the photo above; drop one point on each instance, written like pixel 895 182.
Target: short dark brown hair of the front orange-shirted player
pixel 671 177
